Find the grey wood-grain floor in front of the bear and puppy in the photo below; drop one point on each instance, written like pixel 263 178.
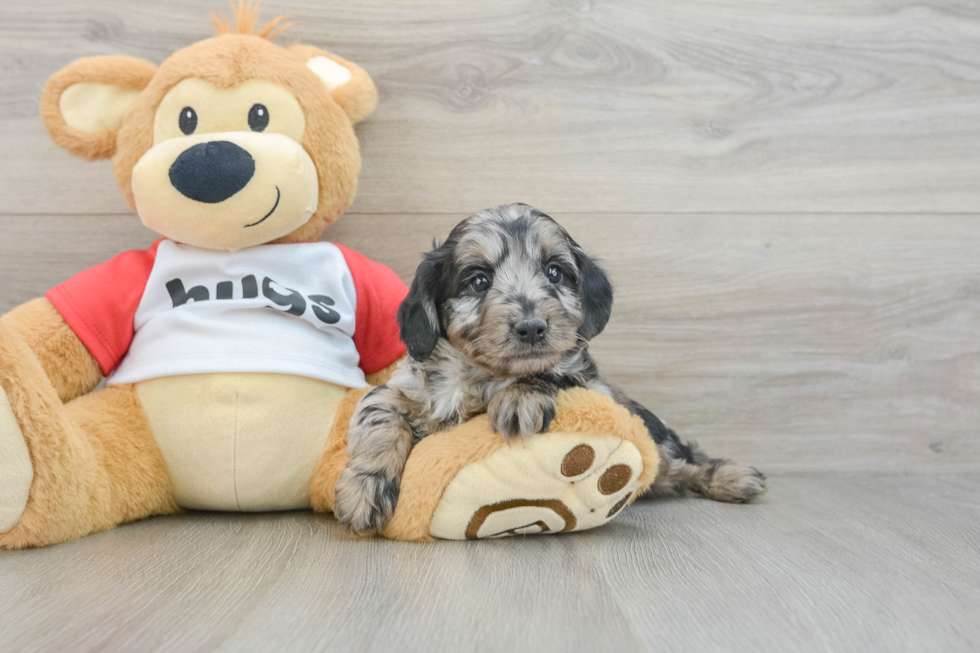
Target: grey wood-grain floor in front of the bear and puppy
pixel 830 563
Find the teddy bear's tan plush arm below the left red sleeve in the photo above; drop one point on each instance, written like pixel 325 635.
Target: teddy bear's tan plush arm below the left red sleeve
pixel 72 370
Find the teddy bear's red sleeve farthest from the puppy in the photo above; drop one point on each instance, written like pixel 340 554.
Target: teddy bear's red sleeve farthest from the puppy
pixel 100 303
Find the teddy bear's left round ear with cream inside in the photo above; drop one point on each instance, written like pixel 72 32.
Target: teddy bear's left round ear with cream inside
pixel 83 104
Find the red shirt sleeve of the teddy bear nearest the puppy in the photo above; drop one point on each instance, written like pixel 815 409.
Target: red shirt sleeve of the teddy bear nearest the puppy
pixel 379 294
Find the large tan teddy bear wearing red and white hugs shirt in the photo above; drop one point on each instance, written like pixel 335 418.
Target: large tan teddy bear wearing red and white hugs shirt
pixel 235 349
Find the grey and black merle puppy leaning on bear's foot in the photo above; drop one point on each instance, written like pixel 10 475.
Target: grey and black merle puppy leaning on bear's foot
pixel 499 319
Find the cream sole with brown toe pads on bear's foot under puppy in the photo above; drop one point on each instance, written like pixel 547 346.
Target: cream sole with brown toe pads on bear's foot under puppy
pixel 551 483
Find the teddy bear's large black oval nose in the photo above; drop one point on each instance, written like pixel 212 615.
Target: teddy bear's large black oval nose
pixel 212 172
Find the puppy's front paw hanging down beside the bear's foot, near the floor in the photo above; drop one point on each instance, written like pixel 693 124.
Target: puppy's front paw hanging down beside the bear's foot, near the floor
pixel 365 501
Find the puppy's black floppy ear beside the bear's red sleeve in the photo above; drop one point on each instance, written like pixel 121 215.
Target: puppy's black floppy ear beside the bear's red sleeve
pixel 418 317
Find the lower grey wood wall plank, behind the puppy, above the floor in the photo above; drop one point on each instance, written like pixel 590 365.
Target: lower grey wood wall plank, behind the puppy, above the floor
pixel 817 343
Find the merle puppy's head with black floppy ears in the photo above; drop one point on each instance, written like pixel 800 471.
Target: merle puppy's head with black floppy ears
pixel 510 289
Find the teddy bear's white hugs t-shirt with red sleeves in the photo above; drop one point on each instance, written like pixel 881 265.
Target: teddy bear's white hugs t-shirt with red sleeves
pixel 330 318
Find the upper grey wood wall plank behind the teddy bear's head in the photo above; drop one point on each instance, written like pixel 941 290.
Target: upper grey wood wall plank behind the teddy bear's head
pixel 622 105
